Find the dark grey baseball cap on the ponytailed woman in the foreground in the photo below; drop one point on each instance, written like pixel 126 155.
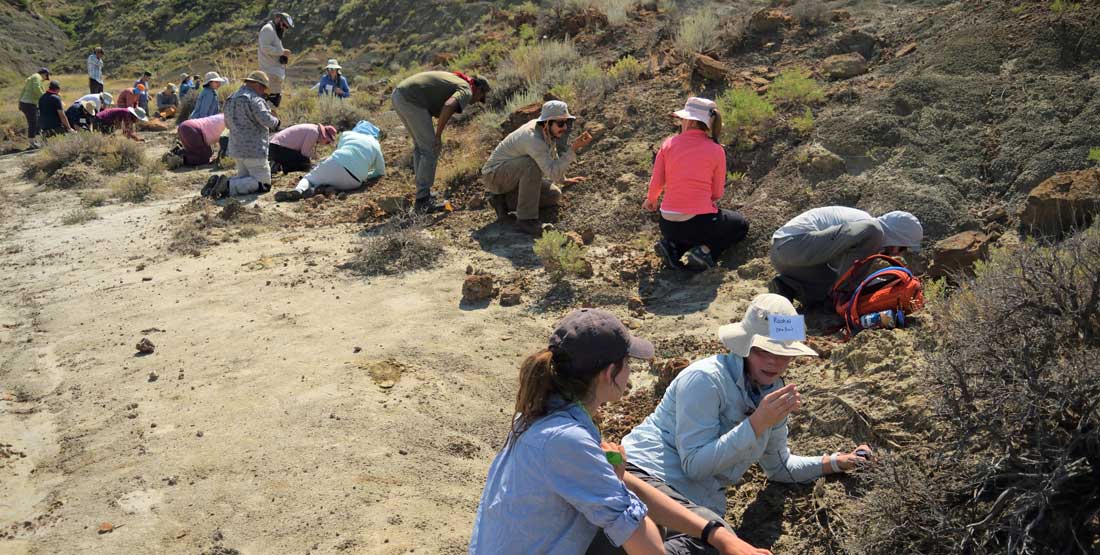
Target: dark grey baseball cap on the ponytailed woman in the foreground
pixel 589 340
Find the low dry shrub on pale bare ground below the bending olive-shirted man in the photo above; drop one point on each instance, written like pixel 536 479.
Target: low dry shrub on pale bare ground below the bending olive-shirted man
pixel 401 246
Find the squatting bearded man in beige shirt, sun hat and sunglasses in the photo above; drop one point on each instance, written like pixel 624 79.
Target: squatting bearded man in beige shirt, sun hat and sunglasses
pixel 522 171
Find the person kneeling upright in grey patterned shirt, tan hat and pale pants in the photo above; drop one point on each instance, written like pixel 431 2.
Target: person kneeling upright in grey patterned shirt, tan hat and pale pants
pixel 250 123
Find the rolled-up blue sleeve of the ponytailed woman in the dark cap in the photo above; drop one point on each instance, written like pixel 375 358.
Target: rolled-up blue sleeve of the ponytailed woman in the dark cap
pixel 581 475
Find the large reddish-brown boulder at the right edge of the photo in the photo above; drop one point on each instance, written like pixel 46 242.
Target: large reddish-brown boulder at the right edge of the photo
pixel 1063 203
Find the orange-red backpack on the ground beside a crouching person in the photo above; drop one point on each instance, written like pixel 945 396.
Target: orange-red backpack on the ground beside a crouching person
pixel 893 287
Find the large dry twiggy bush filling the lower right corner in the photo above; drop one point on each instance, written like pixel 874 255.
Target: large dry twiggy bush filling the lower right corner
pixel 1018 469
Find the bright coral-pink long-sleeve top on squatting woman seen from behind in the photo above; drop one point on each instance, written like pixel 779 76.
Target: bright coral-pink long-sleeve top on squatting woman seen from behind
pixel 691 170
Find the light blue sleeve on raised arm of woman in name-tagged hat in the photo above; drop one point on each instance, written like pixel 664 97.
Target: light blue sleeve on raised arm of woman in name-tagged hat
pixel 705 451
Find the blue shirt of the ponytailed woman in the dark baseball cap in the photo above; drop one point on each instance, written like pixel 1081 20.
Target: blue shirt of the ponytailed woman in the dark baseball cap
pixel 551 492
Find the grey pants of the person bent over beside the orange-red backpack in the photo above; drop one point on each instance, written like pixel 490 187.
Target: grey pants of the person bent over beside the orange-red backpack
pixel 810 264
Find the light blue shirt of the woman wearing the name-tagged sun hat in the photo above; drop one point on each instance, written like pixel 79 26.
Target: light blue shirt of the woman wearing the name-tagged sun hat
pixel 699 440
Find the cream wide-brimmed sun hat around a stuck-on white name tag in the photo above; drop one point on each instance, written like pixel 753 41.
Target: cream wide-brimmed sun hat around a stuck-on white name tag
pixel 754 329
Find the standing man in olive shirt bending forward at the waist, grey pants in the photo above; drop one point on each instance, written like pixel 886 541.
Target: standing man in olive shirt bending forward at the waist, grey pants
pixel 421 98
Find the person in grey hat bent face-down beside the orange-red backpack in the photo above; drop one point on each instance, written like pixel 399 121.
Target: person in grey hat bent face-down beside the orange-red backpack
pixel 812 251
